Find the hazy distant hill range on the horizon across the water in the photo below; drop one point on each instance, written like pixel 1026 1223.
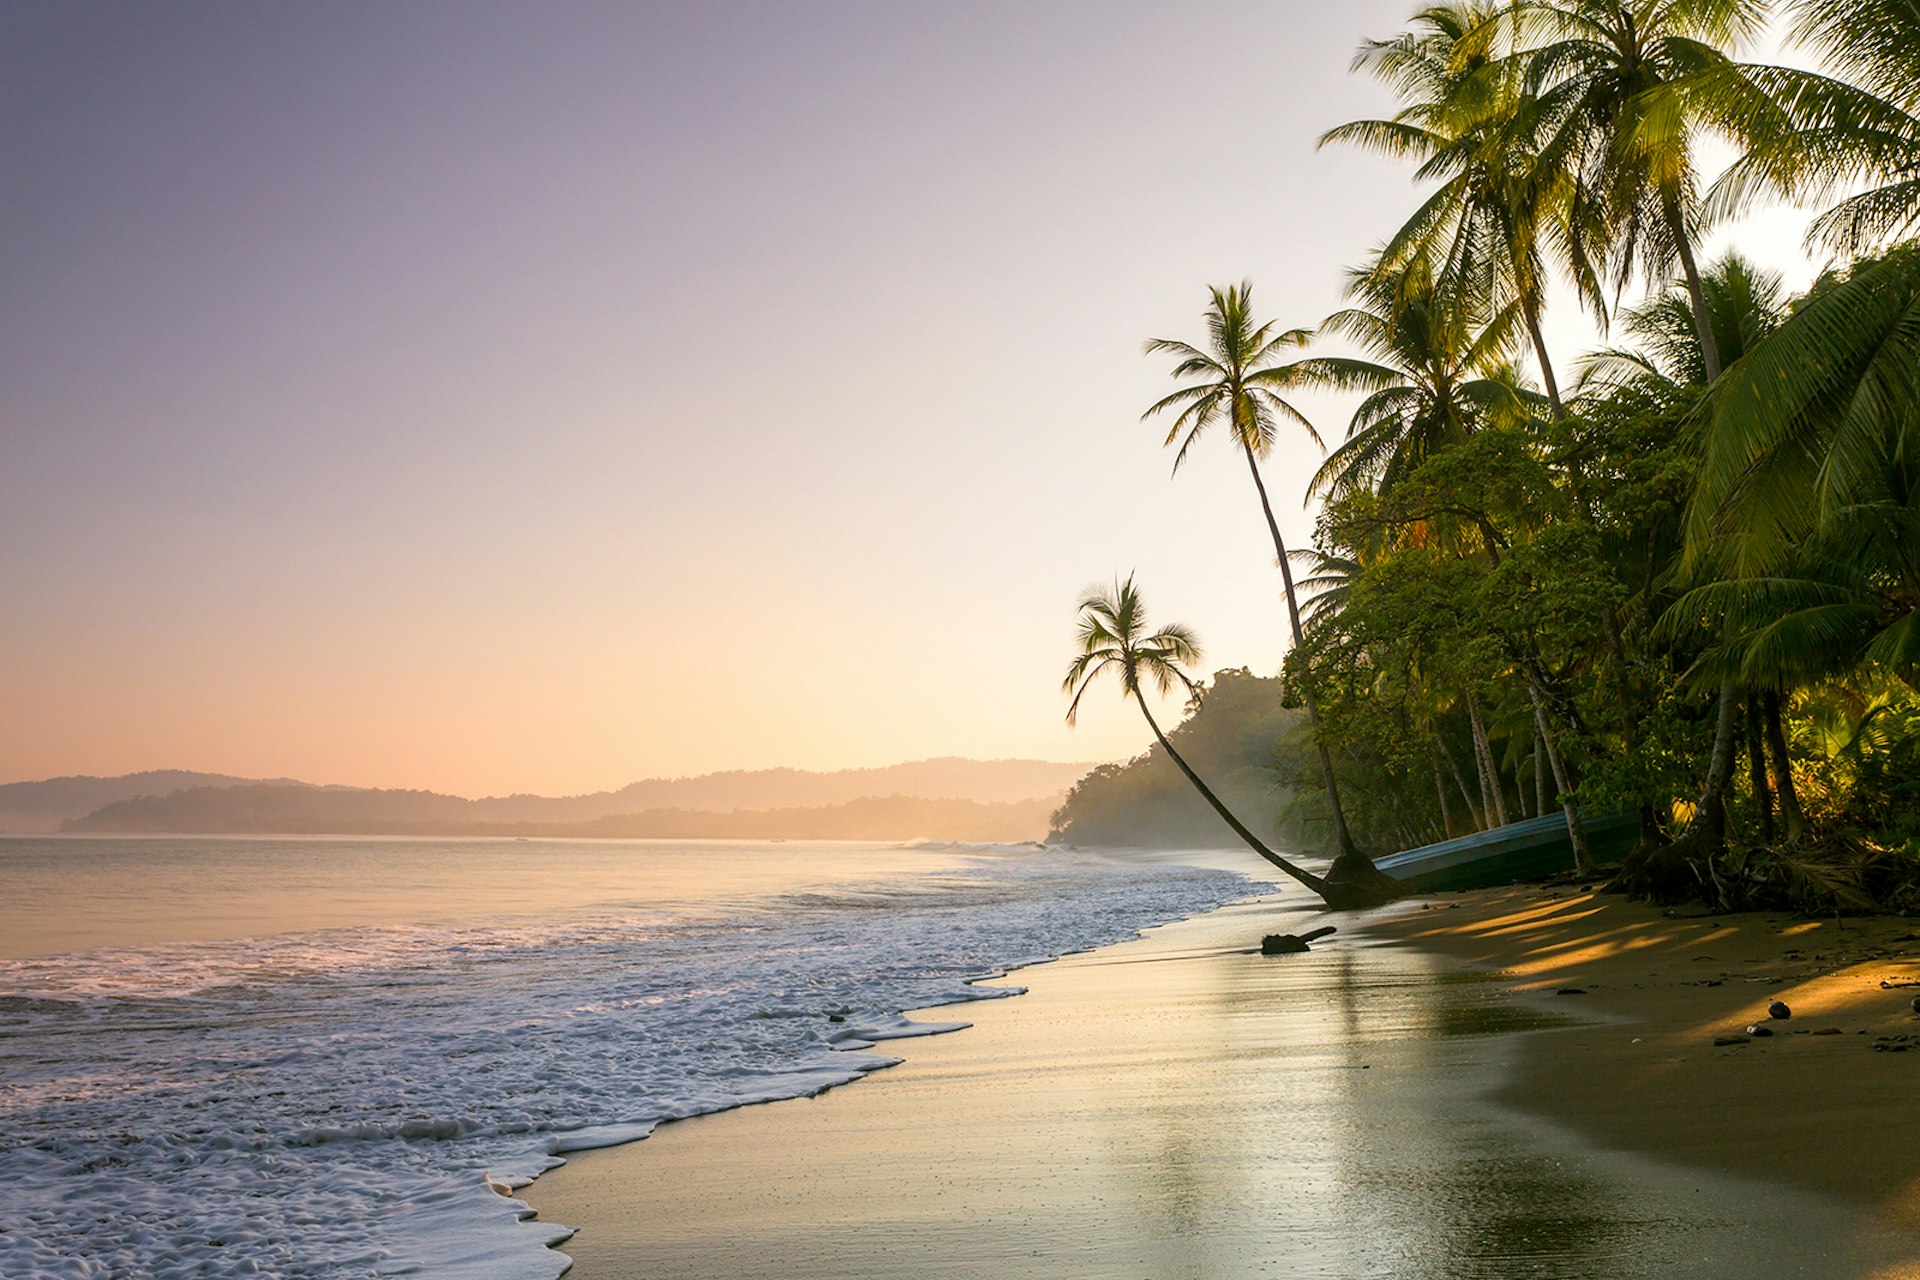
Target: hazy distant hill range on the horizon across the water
pixel 940 799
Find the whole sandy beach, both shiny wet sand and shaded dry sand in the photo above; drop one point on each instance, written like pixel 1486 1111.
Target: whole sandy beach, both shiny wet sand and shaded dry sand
pixel 1412 1099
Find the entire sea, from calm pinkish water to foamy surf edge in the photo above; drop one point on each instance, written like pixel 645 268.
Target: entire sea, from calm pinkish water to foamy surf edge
pixel 325 1058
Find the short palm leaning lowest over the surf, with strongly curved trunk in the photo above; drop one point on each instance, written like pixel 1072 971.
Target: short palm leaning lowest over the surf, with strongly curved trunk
pixel 1113 638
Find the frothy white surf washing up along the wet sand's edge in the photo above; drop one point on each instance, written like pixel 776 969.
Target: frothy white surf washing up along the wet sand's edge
pixel 350 1102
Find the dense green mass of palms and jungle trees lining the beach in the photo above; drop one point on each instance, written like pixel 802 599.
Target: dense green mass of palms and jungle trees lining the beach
pixel 1677 577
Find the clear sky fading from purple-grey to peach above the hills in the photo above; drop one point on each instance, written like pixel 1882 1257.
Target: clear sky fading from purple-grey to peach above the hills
pixel 537 398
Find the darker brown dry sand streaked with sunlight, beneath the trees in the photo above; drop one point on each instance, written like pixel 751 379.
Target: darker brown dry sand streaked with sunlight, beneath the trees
pixel 1836 1114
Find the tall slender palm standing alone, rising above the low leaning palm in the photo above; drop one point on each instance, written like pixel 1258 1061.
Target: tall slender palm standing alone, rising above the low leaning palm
pixel 1239 381
